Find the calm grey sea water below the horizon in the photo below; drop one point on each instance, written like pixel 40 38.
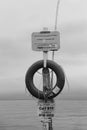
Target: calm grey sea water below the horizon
pixel 23 115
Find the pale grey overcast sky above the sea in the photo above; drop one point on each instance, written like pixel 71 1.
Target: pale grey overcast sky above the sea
pixel 20 18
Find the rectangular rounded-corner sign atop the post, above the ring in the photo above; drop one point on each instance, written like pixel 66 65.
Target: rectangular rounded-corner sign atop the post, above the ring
pixel 46 41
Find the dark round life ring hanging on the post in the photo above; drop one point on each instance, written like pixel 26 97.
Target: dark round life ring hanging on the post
pixel 34 68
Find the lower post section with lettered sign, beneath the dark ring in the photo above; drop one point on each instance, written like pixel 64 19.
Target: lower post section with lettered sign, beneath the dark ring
pixel 46 113
